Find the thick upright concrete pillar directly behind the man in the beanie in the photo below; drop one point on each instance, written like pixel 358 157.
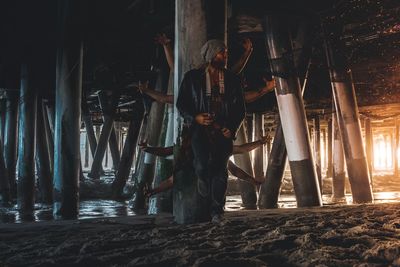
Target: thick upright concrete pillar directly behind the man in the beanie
pixel 195 22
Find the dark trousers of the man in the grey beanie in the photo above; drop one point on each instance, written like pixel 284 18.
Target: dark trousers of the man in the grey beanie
pixel 211 154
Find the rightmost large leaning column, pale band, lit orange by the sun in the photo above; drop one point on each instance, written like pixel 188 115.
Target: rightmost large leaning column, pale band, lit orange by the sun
pixel 348 117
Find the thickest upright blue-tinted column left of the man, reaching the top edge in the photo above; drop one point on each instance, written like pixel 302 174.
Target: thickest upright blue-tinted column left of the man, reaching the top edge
pixel 68 111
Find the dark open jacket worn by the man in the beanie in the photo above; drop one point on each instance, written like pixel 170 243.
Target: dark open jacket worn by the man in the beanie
pixel 192 99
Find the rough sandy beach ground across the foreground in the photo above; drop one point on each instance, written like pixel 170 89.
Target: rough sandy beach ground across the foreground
pixel 356 235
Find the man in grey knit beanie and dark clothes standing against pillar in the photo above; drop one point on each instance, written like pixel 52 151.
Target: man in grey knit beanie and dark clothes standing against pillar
pixel 211 102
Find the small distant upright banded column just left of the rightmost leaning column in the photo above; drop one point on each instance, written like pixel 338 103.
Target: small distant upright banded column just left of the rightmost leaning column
pixel 338 172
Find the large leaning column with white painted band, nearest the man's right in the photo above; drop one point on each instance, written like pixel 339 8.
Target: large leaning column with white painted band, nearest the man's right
pixel 292 113
